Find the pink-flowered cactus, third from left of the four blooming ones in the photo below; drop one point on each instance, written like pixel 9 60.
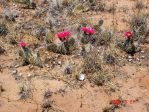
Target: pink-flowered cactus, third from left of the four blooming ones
pixel 88 35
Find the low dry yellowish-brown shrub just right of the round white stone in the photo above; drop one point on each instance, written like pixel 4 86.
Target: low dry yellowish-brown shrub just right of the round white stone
pixel 100 77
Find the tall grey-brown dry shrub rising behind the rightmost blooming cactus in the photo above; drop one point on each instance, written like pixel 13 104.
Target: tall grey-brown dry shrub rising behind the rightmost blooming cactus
pixel 139 26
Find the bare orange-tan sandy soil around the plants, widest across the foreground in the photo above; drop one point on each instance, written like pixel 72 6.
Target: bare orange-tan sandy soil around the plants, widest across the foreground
pixel 131 80
